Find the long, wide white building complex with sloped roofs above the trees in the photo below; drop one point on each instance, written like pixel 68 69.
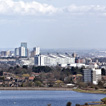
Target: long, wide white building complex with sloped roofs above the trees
pixel 53 60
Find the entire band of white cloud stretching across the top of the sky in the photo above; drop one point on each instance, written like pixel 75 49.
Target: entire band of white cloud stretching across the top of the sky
pixel 11 7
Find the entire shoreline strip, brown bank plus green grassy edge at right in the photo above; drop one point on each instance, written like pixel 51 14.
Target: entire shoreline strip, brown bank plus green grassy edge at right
pixel 54 89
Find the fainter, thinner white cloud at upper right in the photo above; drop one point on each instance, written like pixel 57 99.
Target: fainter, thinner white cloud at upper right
pixel 89 9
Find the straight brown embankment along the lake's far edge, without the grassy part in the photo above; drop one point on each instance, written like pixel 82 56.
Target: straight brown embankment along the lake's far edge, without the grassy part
pixel 35 88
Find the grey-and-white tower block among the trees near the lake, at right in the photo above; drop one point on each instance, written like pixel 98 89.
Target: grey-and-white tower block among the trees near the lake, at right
pixel 92 75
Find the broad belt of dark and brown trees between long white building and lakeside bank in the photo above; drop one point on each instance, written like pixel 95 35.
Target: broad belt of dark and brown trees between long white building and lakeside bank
pixel 44 75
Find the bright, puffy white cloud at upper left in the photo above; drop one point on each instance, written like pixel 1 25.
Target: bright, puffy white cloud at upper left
pixel 25 8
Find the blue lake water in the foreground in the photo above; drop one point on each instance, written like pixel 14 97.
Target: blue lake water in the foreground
pixel 42 98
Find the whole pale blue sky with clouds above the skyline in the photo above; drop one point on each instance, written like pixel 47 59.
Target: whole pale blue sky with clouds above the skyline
pixel 53 23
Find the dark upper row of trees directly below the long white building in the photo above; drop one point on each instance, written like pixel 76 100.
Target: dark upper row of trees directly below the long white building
pixel 57 71
